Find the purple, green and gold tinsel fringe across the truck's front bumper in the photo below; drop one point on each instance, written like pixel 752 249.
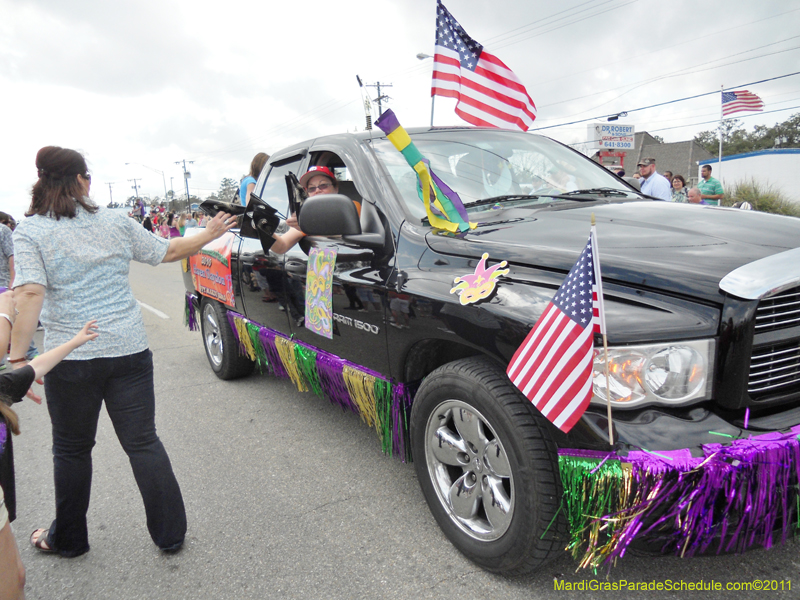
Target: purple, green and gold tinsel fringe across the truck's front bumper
pixel 729 499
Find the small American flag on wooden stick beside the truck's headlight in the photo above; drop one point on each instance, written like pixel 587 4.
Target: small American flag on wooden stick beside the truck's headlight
pixel 553 366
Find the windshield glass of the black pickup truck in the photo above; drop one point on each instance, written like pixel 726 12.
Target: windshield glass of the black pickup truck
pixel 512 167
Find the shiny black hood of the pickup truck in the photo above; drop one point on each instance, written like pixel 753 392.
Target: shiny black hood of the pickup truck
pixel 679 248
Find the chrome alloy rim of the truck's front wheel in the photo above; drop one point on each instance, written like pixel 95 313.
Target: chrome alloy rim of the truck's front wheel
pixel 469 469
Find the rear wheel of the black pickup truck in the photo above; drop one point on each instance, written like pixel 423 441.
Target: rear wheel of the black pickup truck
pixel 221 346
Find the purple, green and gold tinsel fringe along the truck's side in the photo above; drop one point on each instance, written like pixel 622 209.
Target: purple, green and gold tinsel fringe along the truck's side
pixel 379 402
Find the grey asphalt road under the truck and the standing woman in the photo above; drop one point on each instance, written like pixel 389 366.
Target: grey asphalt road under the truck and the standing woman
pixel 288 497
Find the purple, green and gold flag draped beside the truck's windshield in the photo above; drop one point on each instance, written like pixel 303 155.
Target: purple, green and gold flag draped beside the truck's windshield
pixel 443 205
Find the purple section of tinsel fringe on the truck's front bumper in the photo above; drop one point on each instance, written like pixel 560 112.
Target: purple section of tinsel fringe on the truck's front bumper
pixel 732 498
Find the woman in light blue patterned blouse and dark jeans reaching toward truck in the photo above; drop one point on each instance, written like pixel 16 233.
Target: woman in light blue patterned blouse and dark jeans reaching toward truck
pixel 72 262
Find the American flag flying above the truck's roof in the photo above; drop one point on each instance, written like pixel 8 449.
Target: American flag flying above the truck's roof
pixel 488 92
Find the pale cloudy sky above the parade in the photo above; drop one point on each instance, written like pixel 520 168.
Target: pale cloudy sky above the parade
pixel 152 82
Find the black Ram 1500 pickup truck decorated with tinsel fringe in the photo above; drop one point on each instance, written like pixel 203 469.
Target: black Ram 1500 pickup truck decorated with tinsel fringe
pixel 702 306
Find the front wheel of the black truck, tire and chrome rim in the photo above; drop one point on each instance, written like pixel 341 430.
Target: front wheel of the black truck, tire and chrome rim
pixel 488 467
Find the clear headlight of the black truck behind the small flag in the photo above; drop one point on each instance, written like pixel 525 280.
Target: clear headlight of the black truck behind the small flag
pixel 667 373
